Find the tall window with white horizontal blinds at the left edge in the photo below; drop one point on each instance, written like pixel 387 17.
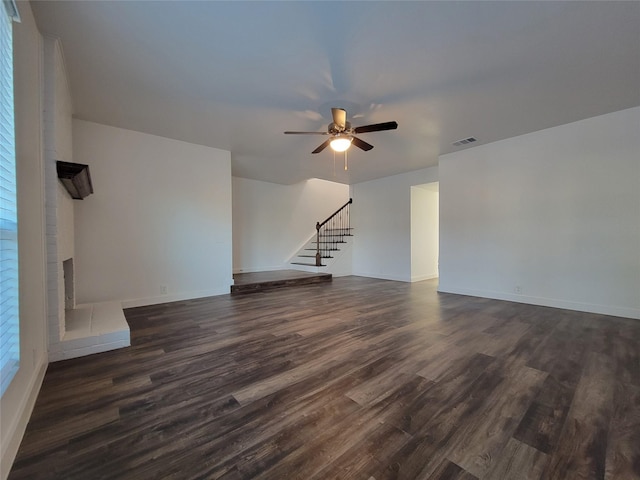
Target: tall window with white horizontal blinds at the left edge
pixel 9 318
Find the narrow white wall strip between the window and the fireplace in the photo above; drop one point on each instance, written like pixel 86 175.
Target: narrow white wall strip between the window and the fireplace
pixel 17 402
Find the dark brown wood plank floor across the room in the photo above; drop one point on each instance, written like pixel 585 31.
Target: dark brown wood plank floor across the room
pixel 357 378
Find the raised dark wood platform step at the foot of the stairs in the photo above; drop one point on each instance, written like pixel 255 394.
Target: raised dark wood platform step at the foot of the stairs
pixel 262 281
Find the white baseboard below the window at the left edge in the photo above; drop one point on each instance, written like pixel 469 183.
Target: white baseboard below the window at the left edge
pixel 19 422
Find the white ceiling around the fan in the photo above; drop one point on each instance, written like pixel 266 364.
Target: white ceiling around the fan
pixel 235 75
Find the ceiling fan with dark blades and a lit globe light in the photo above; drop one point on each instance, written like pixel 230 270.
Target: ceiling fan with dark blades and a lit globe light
pixel 343 134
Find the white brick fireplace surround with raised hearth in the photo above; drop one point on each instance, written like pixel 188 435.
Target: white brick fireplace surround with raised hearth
pixel 74 329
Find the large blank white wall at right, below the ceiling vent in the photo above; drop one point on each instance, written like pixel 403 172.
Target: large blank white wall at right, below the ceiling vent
pixel 549 218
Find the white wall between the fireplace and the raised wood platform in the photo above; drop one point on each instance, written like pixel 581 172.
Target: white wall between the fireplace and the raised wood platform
pixel 160 216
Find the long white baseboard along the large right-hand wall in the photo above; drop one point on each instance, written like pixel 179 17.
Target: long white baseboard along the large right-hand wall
pixel 546 302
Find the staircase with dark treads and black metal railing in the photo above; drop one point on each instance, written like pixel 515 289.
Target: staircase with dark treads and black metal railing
pixel 332 236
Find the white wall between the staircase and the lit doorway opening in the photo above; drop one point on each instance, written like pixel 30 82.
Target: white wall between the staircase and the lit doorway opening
pixel 381 219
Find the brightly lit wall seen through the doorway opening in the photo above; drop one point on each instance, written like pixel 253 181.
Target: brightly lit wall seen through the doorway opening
pixel 424 232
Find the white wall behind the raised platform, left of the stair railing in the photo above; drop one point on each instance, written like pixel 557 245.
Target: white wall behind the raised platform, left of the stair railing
pixel 271 221
